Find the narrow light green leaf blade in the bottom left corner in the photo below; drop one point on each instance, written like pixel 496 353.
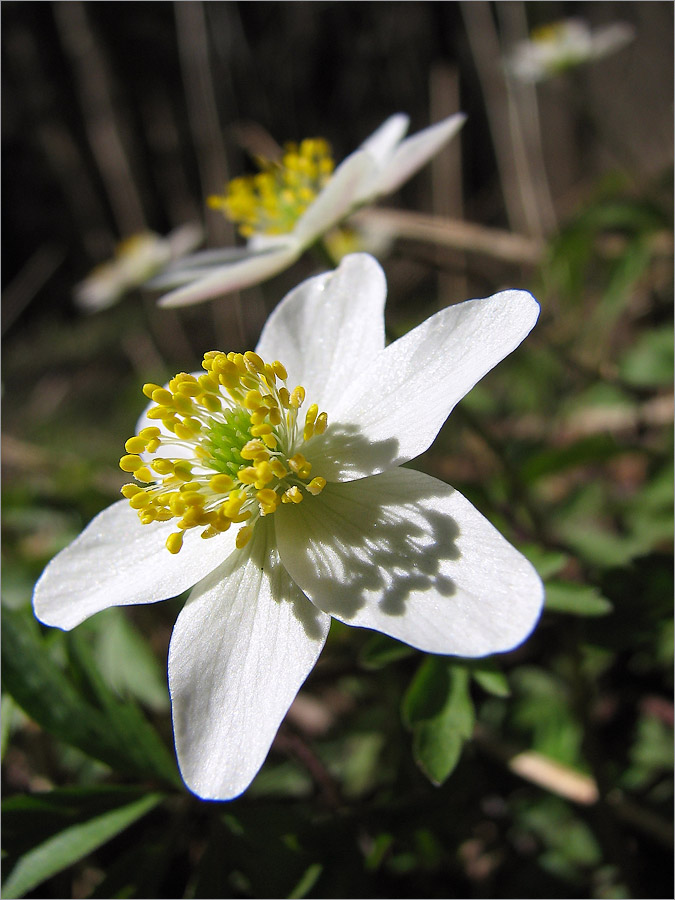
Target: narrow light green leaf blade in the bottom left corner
pixel 71 845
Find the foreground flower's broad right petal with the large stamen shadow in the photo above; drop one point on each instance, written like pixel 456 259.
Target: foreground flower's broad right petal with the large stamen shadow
pixel 407 555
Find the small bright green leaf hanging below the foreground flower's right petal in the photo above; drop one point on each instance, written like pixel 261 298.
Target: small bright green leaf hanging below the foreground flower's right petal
pixel 438 709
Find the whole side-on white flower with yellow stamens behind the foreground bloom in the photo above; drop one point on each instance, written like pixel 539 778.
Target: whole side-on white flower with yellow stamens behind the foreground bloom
pixel 293 204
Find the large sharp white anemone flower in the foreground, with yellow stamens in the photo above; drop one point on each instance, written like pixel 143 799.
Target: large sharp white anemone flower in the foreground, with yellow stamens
pixel 328 521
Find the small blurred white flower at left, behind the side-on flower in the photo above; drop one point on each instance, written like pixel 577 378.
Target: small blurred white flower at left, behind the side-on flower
pixel 137 258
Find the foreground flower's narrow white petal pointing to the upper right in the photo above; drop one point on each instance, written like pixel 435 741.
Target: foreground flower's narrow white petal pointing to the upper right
pixel 393 411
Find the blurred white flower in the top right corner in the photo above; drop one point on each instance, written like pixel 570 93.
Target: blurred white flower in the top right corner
pixel 563 45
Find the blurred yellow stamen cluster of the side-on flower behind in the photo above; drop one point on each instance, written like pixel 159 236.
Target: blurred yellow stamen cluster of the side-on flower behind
pixel 272 201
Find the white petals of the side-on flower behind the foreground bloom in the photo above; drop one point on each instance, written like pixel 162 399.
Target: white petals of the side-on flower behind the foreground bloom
pixel 378 167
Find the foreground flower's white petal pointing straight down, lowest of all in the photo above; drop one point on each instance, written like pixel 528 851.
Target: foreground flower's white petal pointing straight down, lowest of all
pixel 241 648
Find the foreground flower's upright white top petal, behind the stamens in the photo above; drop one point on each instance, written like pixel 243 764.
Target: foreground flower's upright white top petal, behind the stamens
pixel 328 328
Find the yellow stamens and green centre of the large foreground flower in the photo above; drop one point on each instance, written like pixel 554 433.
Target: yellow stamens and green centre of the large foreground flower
pixel 238 430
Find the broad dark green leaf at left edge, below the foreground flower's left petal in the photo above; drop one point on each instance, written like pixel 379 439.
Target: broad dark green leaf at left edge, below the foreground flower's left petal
pixel 111 731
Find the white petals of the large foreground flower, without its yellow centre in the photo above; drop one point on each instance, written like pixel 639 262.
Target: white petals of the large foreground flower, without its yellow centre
pixel 382 546
